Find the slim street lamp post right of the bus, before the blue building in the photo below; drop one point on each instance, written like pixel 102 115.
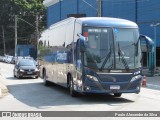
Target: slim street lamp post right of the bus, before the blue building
pixel 155 38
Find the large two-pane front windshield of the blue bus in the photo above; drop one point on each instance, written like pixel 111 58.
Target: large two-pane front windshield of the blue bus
pixel 112 48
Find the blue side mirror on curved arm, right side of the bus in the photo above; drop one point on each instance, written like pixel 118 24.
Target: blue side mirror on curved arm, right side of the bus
pixel 146 43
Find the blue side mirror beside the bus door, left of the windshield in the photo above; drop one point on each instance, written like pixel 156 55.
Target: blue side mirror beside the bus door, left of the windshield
pixel 82 42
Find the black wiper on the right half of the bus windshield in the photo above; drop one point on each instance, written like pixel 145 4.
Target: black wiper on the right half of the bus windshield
pixel 122 58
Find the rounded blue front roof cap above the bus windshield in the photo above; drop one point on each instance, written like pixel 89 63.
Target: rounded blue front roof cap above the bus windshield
pixel 107 22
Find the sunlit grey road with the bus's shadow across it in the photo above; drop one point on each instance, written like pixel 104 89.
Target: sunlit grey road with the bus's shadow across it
pixel 31 95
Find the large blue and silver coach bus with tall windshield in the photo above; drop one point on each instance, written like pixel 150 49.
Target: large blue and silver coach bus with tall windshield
pixel 92 55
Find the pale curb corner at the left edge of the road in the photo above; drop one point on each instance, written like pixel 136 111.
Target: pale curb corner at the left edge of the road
pixel 3 88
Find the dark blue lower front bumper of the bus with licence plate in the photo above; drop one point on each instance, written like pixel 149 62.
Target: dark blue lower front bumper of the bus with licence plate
pixel 109 87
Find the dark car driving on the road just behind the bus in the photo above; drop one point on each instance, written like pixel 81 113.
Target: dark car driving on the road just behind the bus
pixel 25 68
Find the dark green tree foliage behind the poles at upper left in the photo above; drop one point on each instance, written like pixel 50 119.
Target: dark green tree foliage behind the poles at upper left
pixel 26 11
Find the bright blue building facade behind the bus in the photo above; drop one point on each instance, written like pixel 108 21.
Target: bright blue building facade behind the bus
pixel 144 12
